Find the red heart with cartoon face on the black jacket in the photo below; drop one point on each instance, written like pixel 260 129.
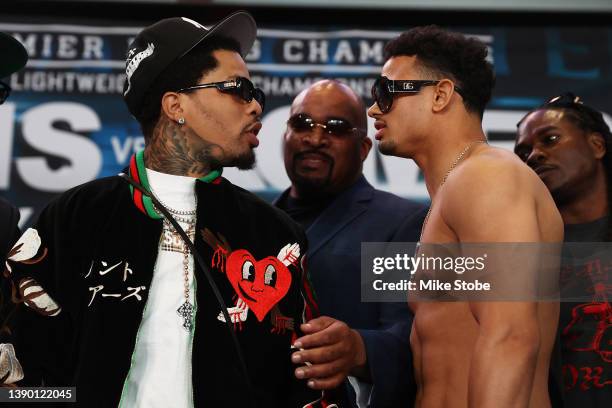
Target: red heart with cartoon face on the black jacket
pixel 261 284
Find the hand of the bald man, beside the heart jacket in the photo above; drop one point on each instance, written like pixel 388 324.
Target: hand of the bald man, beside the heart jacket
pixel 330 349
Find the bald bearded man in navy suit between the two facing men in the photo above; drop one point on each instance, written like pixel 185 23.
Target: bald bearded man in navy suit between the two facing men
pixel 325 145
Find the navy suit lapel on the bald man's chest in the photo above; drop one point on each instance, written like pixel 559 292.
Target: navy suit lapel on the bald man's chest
pixel 341 211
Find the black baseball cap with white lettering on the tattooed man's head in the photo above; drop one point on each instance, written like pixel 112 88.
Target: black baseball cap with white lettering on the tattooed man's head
pixel 160 44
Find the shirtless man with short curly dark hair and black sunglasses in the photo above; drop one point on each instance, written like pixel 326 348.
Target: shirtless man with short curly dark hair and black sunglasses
pixel 428 107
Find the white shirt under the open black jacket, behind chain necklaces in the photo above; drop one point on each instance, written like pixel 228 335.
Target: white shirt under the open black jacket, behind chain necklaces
pixel 160 372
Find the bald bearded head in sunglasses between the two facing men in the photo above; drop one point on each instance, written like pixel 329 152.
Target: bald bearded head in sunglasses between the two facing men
pixel 318 159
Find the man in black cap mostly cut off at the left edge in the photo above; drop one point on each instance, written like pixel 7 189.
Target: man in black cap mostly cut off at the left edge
pixel 14 58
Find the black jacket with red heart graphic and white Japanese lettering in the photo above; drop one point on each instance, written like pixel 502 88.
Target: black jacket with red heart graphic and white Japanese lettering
pixel 82 339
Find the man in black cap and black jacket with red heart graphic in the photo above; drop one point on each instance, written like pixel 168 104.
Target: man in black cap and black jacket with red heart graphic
pixel 120 303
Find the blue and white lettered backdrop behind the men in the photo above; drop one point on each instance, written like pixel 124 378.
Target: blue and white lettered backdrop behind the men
pixel 66 123
